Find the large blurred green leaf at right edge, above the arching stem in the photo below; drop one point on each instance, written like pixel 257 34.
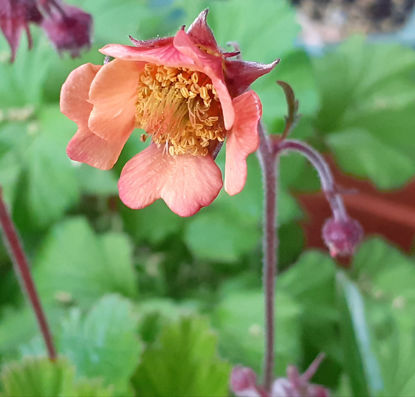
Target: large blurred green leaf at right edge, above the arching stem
pixel 366 116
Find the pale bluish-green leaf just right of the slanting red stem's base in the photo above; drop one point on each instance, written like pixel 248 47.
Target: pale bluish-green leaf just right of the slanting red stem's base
pixel 104 342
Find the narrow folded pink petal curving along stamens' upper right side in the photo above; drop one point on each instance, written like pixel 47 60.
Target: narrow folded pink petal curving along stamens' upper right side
pixel 211 65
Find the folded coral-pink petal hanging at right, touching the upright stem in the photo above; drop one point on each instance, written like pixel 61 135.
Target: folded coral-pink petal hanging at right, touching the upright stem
pixel 242 140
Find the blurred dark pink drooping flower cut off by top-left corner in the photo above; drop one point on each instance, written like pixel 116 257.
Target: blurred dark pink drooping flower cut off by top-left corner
pixel 16 15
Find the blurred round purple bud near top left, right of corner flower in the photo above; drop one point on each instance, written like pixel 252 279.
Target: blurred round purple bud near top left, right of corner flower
pixel 69 29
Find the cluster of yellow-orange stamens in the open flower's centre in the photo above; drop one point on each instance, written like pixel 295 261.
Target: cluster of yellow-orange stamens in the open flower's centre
pixel 180 109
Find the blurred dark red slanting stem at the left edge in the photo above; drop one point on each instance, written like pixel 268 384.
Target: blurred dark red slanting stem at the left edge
pixel 22 270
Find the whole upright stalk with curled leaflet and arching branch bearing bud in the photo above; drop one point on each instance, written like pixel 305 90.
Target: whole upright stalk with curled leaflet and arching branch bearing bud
pixel 341 233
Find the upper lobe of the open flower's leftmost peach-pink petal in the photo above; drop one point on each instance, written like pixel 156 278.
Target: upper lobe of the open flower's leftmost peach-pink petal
pixel 74 93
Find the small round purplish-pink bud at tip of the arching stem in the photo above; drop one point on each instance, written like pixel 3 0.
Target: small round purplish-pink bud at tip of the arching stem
pixel 342 236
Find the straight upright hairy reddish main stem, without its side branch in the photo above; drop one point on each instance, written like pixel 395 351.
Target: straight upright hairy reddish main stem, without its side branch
pixel 270 244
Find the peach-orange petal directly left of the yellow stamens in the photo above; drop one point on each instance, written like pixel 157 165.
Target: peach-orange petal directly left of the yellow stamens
pixel 113 96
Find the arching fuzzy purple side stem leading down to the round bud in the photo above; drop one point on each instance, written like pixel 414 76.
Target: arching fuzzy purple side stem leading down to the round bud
pixel 323 170
